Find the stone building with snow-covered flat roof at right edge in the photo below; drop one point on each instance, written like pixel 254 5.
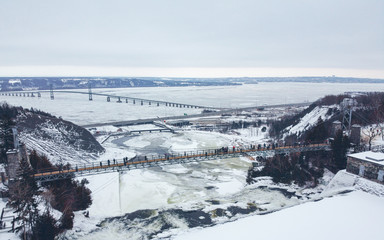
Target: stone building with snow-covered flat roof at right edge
pixel 369 165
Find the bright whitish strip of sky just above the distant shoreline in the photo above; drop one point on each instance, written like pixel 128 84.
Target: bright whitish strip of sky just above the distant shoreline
pixel 147 72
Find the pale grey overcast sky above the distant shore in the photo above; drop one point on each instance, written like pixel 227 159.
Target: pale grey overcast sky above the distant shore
pixel 166 37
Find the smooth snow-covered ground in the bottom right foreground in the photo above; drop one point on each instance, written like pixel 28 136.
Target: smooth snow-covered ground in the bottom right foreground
pixel 353 215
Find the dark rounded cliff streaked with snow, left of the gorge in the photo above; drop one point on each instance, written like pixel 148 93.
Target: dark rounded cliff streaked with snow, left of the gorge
pixel 62 141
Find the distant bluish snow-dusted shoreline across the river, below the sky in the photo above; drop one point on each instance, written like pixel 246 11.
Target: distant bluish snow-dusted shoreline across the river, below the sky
pixel 45 83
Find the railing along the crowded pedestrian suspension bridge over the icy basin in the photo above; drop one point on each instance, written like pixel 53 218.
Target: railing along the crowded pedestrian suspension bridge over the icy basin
pixel 68 170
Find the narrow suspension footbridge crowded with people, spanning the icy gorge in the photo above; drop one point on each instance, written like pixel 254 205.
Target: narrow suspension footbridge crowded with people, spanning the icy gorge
pixel 45 175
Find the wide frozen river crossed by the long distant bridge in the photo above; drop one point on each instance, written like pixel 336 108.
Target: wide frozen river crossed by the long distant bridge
pixel 77 108
